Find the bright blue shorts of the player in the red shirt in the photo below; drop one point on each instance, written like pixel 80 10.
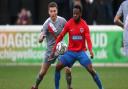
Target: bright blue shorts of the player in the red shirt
pixel 70 57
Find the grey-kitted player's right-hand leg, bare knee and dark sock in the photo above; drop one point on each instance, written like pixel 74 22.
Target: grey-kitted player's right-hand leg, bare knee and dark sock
pixel 68 77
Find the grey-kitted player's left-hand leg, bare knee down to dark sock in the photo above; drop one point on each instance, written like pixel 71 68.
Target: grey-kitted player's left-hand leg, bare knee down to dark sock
pixel 43 71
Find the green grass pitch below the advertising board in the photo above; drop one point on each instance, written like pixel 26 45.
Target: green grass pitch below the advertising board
pixel 23 77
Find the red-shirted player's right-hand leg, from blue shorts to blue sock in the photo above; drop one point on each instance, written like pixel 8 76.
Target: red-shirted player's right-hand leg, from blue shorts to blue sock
pixel 86 62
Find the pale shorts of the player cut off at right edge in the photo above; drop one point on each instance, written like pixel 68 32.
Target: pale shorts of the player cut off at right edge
pixel 125 42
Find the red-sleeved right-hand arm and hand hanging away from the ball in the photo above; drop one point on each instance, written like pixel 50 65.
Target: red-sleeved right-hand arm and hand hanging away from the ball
pixel 88 39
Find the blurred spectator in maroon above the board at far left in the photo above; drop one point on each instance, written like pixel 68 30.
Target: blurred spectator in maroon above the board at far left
pixel 24 17
